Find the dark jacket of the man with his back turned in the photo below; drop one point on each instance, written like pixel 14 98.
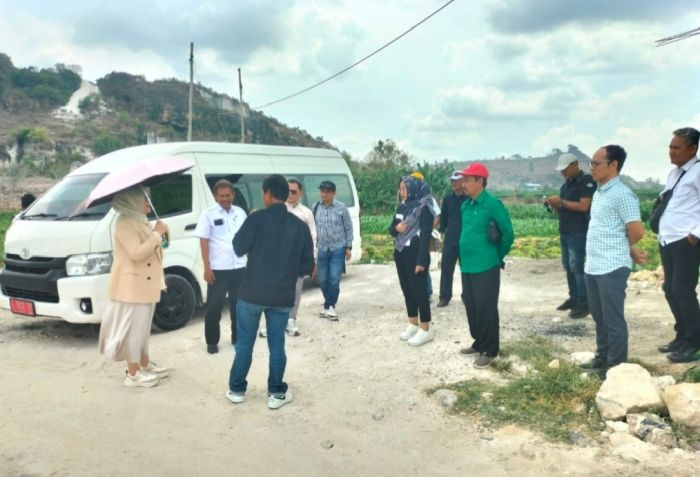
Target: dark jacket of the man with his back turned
pixel 279 249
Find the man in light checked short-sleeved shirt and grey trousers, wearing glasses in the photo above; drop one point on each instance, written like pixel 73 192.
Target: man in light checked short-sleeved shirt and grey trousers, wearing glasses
pixel 614 228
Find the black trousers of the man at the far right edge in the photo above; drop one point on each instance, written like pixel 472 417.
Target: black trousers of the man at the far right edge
pixel 680 261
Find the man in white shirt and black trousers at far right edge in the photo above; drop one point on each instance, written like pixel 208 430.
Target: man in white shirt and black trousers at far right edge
pixel 679 233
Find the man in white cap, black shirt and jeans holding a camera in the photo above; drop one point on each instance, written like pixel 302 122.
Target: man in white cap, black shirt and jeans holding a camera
pixel 573 205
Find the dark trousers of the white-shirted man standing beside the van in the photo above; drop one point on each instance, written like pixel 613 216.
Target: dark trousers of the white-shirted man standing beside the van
pixel 225 282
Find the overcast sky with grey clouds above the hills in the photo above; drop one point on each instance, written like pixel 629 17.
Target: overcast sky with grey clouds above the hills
pixel 483 78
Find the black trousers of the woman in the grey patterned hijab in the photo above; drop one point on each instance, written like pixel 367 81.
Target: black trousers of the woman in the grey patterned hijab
pixel 413 285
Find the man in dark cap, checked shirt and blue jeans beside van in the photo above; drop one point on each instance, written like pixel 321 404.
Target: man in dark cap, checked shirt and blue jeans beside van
pixel 334 244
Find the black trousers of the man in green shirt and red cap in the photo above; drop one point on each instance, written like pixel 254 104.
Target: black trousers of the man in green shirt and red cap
pixel 480 298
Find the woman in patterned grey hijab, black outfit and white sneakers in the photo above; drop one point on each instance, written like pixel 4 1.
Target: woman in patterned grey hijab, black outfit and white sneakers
pixel 411 230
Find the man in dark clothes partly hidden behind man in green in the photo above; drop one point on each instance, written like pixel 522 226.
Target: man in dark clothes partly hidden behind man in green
pixel 450 227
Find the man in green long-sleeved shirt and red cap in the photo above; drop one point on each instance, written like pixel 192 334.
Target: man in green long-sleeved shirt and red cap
pixel 485 240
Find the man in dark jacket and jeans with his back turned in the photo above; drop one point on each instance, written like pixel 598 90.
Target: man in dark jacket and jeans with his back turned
pixel 280 250
